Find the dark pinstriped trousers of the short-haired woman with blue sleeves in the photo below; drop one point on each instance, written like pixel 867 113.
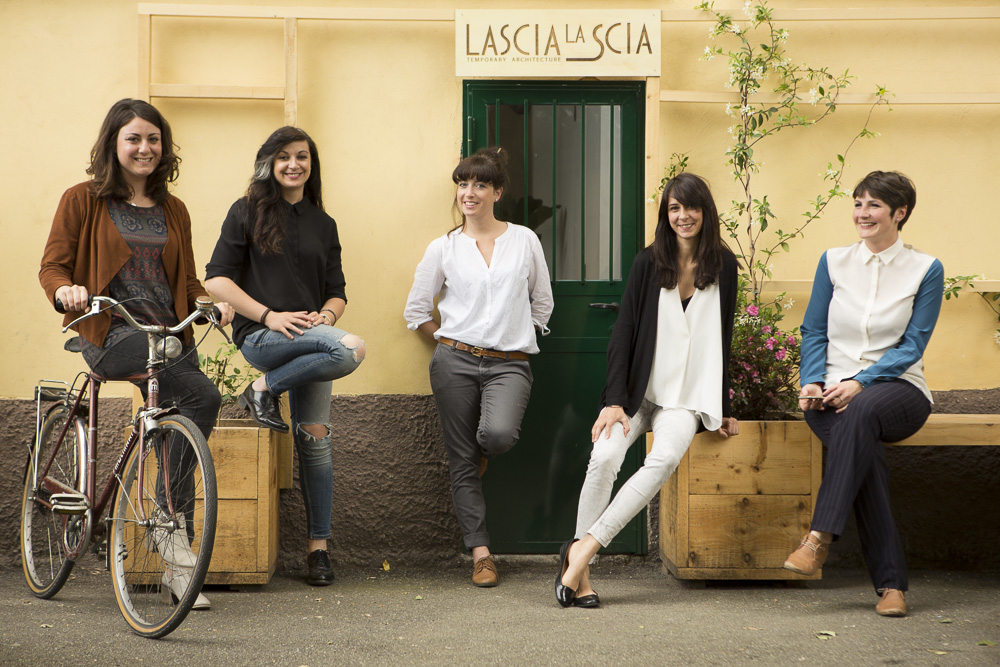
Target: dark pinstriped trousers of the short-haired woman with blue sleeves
pixel 855 474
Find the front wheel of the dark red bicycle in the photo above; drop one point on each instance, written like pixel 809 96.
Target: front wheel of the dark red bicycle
pixel 163 527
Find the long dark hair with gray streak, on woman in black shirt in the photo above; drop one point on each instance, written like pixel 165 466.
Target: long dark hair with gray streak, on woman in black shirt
pixel 266 214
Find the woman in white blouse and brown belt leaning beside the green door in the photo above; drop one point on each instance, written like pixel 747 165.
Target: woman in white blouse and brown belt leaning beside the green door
pixel 493 294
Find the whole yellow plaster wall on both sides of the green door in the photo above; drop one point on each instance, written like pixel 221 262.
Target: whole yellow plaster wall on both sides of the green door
pixel 382 101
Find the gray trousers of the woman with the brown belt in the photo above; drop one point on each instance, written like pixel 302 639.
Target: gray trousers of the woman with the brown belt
pixel 480 402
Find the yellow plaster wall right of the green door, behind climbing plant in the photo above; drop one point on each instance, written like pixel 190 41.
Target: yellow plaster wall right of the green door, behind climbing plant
pixel 948 150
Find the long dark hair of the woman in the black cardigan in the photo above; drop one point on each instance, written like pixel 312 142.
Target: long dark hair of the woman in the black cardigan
pixel 693 192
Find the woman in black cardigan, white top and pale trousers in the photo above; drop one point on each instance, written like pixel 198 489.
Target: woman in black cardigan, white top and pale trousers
pixel 668 361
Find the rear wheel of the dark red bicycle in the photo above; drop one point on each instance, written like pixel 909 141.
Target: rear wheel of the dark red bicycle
pixel 44 534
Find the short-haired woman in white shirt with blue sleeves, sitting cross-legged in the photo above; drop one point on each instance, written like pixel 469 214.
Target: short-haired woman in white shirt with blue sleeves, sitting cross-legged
pixel 873 307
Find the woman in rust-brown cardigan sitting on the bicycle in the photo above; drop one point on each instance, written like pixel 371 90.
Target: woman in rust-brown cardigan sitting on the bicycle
pixel 122 234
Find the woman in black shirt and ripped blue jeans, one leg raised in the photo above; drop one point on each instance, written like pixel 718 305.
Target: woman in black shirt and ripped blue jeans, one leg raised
pixel 278 262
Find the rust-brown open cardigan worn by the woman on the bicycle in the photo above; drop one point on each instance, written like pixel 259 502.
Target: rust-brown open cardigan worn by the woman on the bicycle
pixel 85 248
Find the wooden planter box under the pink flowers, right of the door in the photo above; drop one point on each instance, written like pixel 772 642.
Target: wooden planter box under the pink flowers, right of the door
pixel 737 507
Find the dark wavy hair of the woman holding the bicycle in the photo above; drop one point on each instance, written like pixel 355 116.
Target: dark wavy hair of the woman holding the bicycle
pixel 108 180
